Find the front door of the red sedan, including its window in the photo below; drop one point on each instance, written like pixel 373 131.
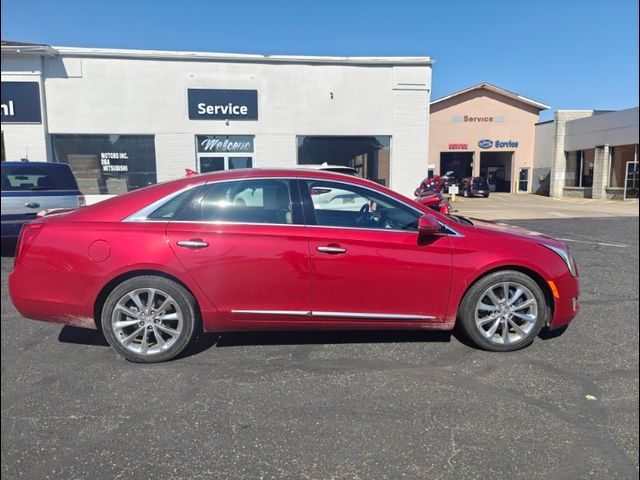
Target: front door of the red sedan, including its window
pixel 368 261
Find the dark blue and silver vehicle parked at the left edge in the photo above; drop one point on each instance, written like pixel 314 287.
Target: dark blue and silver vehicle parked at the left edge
pixel 30 187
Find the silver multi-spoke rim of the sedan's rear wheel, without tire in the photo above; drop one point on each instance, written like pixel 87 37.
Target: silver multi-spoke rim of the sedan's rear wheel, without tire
pixel 147 321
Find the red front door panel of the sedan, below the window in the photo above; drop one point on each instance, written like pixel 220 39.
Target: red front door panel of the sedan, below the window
pixel 379 272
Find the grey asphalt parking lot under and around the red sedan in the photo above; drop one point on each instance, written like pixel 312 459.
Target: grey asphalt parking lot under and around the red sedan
pixel 340 405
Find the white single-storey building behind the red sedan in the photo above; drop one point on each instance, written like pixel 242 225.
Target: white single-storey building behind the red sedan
pixel 127 118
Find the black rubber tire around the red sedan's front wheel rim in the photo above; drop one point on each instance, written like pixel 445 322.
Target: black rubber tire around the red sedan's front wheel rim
pixel 467 311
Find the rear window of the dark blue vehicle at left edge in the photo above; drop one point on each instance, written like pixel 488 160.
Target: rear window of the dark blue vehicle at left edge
pixel 53 176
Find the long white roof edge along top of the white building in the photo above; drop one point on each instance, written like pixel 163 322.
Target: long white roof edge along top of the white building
pixel 213 56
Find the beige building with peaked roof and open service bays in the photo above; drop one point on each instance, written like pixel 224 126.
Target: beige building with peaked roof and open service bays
pixel 485 131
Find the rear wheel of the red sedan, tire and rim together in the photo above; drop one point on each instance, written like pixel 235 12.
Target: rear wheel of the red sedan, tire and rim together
pixel 149 319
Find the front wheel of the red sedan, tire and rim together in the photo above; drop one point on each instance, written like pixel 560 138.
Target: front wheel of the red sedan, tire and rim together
pixel 503 311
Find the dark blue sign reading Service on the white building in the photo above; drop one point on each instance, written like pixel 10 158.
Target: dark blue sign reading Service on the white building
pixel 208 104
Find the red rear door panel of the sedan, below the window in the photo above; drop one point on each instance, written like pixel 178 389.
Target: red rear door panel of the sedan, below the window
pixel 246 267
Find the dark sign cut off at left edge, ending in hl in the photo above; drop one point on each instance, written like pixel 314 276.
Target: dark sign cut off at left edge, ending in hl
pixel 21 102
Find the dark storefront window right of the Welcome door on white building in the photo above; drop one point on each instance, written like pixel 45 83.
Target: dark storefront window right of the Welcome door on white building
pixel 370 156
